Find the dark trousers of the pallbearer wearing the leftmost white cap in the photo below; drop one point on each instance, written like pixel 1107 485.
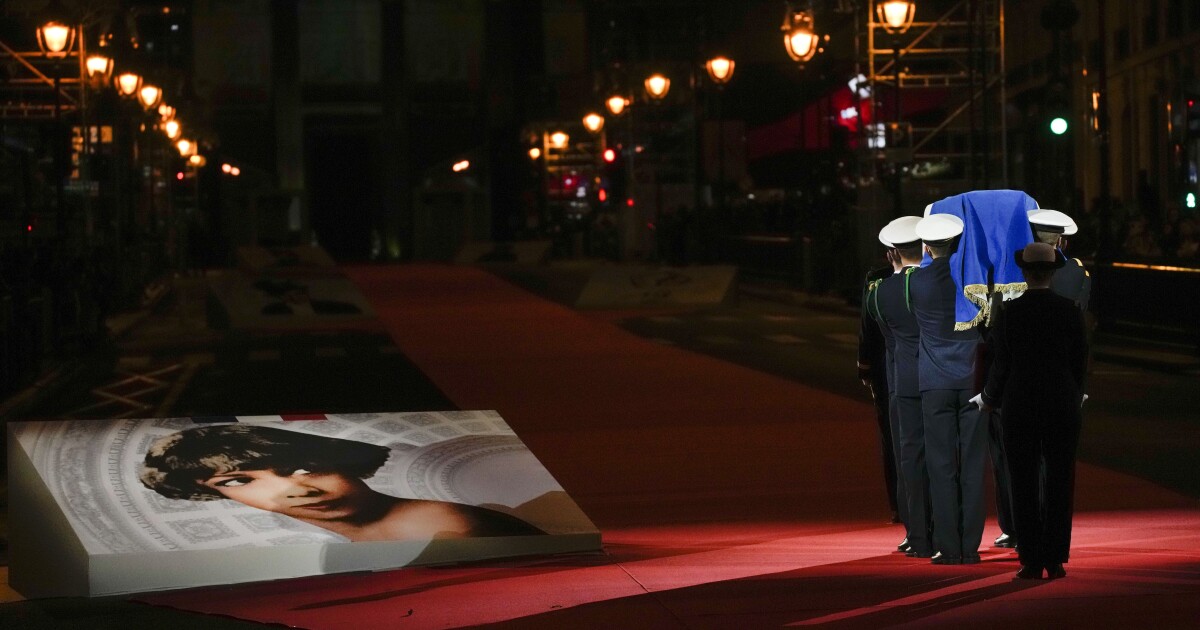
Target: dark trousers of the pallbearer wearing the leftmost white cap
pixel 914 472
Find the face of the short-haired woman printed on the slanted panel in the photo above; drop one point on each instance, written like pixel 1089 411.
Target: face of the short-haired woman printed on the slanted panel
pixel 298 494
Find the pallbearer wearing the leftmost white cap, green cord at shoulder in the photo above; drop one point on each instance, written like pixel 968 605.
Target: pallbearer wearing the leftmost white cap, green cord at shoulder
pixel 890 304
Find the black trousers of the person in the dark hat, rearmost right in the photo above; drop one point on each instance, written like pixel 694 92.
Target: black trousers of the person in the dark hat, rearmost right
pixel 1041 447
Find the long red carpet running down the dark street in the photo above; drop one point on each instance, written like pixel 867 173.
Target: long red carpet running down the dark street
pixel 727 497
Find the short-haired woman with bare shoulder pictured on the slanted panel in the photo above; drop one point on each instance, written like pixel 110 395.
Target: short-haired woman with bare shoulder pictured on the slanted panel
pixel 314 479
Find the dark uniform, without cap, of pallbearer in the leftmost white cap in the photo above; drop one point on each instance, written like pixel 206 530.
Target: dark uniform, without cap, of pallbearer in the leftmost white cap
pixel 890 304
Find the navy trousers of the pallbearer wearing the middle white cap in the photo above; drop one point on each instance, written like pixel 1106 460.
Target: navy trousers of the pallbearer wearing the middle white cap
pixel 956 449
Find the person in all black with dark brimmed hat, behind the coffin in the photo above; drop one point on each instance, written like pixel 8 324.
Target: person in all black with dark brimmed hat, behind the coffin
pixel 1037 380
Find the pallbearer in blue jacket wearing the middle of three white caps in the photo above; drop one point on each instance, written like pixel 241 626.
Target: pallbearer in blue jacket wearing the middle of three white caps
pixel 956 433
